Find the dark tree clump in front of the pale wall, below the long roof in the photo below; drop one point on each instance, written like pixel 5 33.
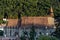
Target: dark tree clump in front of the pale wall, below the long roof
pixel 29 36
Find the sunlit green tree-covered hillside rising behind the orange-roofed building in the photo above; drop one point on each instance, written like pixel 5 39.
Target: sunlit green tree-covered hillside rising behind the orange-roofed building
pixel 28 7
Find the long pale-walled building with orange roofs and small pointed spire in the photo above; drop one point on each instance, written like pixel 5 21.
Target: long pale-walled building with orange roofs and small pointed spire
pixel 44 25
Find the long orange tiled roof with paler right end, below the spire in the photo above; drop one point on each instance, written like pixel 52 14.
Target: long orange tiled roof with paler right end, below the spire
pixel 38 21
